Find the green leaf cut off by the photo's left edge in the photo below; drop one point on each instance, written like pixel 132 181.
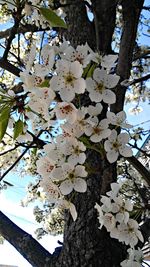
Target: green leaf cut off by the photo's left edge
pixel 4 118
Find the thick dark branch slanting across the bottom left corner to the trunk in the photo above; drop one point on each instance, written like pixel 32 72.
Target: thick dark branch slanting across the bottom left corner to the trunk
pixel 25 244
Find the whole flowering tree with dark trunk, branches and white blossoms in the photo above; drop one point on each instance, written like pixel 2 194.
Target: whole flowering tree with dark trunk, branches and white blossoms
pixel 67 68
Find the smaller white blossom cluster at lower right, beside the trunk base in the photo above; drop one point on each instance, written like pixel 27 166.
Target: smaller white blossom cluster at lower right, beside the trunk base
pixel 114 215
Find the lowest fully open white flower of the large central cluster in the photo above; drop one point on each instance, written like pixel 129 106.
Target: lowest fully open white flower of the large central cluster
pixel 71 176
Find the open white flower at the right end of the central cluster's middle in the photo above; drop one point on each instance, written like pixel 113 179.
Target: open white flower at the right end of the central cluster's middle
pixel 115 145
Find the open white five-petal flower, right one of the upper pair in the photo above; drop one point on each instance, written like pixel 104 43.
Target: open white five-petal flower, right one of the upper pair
pixel 98 86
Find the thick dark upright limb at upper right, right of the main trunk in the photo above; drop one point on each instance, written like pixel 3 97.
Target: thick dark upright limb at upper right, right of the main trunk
pixel 131 12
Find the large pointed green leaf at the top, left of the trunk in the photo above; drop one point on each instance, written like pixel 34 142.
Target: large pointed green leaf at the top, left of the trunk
pixel 52 18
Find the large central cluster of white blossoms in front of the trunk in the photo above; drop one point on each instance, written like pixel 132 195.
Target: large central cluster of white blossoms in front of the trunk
pixel 55 86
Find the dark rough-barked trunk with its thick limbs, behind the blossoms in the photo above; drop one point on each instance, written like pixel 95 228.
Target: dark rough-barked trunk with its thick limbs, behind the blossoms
pixel 84 244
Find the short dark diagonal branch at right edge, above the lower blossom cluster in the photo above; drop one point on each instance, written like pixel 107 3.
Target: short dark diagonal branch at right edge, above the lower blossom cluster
pixel 140 168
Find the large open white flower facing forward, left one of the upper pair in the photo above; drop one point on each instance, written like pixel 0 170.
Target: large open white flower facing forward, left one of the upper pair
pixel 68 80
